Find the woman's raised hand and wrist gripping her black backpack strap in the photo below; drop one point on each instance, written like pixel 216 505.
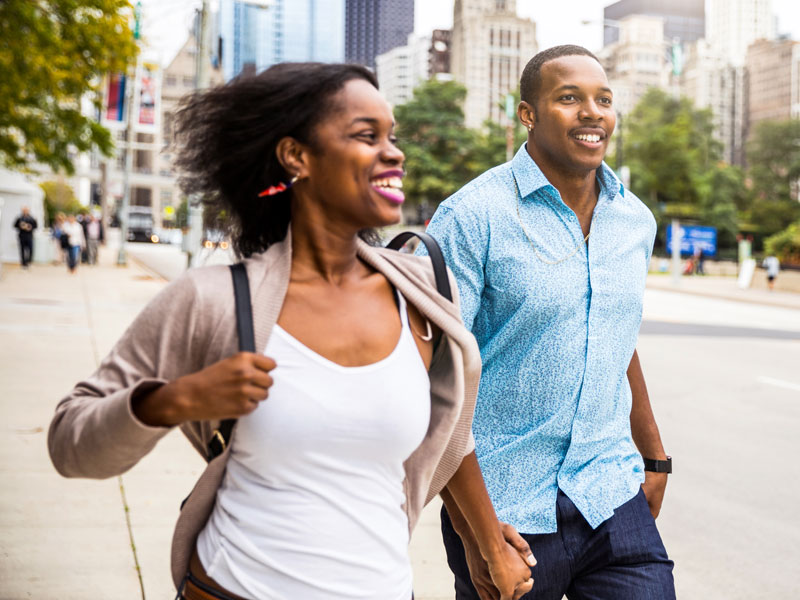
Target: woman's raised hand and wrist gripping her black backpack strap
pixel 228 389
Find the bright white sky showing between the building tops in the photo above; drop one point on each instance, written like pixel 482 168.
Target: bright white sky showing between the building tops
pixel 165 22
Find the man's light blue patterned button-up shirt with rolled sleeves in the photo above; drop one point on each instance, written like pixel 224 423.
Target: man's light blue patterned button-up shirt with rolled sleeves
pixel 557 322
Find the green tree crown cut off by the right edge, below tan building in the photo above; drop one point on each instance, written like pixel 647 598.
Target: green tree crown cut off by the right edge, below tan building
pixel 773 157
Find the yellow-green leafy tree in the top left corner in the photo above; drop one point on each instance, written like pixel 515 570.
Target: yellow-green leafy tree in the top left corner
pixel 53 54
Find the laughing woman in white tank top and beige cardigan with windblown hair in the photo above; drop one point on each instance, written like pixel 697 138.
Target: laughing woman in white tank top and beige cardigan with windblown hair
pixel 357 409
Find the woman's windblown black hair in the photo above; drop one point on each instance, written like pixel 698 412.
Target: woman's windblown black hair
pixel 226 139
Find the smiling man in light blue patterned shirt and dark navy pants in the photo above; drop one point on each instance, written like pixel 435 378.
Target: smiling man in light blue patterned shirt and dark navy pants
pixel 551 255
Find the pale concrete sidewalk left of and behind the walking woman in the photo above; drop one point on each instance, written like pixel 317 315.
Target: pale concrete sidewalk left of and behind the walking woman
pixel 69 538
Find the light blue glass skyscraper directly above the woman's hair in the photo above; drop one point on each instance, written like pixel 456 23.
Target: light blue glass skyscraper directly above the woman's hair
pixel 253 37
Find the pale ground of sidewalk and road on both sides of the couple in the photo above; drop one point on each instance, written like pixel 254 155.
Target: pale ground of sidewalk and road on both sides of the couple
pixel 723 380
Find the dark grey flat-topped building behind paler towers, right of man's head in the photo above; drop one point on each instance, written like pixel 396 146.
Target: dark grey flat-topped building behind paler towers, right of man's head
pixel 683 19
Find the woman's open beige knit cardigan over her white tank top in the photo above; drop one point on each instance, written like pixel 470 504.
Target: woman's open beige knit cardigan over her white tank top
pixel 191 324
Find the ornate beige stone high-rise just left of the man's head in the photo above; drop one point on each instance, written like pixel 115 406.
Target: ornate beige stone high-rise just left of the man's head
pixel 490 47
